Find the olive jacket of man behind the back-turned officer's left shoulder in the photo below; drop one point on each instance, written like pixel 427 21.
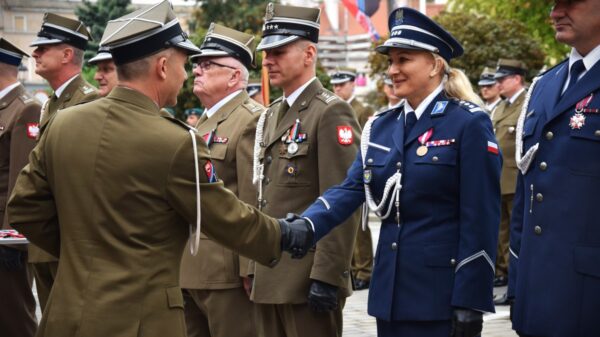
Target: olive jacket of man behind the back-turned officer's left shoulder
pixel 77 92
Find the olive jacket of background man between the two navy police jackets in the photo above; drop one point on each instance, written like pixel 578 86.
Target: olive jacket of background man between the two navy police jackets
pixel 504 119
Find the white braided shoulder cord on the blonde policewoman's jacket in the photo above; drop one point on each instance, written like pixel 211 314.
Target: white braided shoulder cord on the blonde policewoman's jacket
pixel 393 182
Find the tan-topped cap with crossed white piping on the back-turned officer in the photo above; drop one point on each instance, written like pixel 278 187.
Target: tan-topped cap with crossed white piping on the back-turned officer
pixel 145 32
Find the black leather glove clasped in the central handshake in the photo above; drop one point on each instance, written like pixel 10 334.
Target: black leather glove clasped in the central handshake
pixel 296 235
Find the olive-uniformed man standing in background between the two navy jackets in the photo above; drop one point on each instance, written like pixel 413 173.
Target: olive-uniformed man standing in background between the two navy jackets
pixel 510 75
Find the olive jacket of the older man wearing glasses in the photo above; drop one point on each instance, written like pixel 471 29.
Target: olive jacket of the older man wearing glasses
pixel 231 129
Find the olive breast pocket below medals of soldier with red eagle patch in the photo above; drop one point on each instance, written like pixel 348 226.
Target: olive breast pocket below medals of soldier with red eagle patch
pixel 294 165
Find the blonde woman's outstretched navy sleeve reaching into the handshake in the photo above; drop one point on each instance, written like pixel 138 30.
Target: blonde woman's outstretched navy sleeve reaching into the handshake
pixel 337 203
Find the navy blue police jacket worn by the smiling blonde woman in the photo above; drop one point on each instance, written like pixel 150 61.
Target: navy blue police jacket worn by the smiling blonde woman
pixel 441 252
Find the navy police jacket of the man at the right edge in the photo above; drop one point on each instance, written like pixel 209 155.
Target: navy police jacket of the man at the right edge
pixel 554 271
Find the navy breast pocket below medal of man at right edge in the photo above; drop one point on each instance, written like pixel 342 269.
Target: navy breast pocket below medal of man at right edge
pixel 584 147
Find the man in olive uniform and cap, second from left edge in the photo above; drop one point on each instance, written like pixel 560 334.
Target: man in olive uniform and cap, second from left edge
pixel 58 59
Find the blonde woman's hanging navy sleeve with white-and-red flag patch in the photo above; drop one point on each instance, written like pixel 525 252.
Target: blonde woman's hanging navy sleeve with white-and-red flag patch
pixel 480 166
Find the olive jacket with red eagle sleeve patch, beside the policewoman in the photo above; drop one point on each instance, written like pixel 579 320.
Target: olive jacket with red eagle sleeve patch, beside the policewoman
pixel 293 181
